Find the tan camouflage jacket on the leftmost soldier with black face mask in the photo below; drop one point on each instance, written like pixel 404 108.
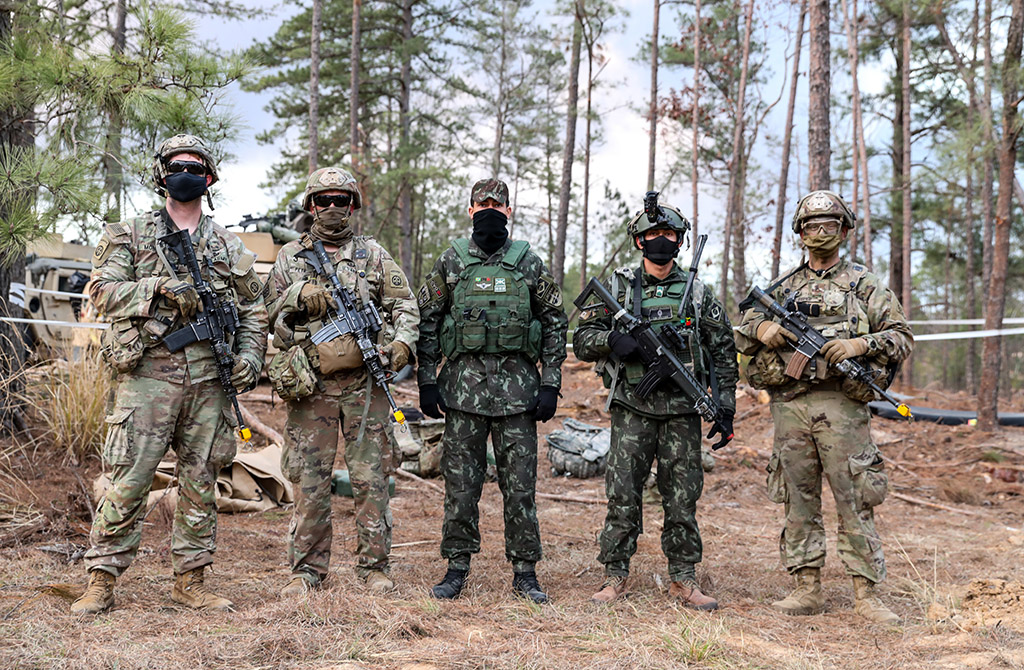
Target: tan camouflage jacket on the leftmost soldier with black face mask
pixel 126 269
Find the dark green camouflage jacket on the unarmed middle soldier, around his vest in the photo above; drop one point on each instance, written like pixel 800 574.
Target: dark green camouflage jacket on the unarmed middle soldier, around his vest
pixel 497 385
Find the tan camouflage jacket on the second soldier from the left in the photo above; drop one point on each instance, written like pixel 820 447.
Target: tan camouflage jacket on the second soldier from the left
pixel 365 268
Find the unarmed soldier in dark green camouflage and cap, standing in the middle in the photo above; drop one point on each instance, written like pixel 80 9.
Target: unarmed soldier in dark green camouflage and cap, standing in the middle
pixel 493 310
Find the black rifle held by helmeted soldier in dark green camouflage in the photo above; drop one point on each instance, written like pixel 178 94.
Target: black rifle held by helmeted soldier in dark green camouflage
pixel 658 350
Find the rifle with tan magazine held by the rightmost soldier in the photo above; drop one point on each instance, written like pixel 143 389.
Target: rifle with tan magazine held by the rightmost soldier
pixel 809 343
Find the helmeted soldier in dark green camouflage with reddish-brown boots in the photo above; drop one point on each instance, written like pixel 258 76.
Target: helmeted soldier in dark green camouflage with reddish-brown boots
pixel 665 425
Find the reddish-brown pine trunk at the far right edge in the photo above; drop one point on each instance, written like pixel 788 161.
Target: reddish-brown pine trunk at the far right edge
pixel 989 393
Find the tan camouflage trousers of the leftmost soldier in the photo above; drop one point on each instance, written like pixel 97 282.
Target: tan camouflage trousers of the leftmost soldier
pixel 148 416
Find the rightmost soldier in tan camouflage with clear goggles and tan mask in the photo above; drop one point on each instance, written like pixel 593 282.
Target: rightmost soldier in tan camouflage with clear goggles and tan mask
pixel 822 420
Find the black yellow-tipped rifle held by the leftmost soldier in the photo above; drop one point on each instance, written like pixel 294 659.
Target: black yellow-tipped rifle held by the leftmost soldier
pixel 214 324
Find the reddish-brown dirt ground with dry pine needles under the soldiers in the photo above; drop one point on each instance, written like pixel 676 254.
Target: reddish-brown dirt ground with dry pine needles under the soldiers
pixel 953 528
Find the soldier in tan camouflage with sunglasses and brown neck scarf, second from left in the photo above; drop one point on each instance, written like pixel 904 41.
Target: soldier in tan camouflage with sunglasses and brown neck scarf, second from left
pixel 328 388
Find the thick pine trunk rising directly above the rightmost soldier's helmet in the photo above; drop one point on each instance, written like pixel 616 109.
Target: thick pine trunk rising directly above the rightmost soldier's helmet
pixel 820 83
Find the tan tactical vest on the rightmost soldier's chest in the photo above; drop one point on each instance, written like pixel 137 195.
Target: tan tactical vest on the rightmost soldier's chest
pixel 832 307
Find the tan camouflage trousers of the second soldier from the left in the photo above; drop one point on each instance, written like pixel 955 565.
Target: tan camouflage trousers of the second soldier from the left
pixel 308 460
